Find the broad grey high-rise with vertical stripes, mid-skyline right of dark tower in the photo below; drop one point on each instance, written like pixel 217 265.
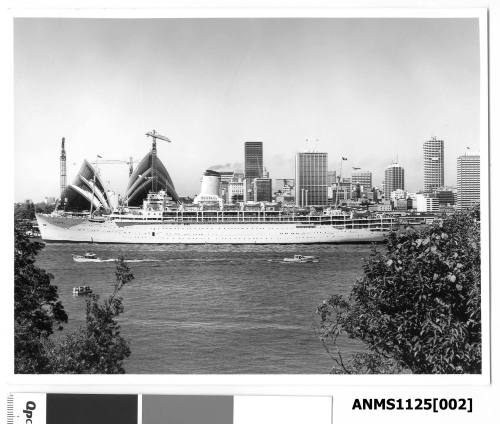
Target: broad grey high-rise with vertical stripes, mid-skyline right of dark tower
pixel 311 186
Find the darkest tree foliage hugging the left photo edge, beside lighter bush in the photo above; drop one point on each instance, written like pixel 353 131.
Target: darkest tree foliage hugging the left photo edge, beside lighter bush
pixel 37 309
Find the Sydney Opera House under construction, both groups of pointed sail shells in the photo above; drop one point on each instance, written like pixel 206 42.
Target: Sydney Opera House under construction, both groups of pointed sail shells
pixel 87 186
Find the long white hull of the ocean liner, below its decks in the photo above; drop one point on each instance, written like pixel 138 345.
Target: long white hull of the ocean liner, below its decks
pixel 64 229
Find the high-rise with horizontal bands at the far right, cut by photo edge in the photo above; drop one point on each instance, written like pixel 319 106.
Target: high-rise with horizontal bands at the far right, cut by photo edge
pixel 468 181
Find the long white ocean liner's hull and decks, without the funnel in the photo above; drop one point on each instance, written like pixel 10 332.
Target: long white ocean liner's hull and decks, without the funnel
pixel 162 221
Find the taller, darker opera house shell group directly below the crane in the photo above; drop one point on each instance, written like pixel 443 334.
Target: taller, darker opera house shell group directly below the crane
pixel 149 175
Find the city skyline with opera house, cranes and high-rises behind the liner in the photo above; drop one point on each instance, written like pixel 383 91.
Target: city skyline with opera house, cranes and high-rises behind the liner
pixel 315 184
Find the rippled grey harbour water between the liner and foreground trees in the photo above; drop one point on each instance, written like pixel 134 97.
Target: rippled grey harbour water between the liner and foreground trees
pixel 214 308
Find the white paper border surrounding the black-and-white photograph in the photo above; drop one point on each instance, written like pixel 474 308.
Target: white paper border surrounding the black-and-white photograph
pixel 259 383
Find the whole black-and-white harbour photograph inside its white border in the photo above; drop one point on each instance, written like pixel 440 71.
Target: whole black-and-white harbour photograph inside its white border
pixel 250 195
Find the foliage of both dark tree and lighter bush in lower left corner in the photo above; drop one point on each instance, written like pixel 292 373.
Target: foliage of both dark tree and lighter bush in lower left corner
pixel 96 347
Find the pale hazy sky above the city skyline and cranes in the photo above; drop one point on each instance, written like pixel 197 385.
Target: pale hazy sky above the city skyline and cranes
pixel 372 90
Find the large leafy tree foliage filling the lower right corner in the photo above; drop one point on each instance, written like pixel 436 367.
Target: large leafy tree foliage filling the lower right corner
pixel 418 306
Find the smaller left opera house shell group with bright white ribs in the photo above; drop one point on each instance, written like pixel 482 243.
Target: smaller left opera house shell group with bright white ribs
pixel 87 187
